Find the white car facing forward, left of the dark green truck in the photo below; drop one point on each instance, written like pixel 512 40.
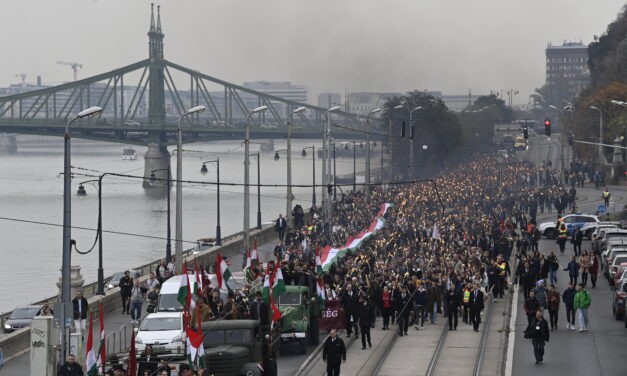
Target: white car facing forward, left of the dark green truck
pixel 164 331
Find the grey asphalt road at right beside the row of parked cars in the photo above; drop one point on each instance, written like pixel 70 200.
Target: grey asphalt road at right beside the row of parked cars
pixel 601 351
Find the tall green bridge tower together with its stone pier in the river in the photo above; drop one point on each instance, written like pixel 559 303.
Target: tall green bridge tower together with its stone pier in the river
pixel 157 157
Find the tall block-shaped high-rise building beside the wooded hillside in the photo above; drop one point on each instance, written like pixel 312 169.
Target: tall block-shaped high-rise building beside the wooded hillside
pixel 567 71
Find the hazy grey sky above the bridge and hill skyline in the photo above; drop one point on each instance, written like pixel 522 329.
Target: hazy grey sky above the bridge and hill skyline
pixel 327 45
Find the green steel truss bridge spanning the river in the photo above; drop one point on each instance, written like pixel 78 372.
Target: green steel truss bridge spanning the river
pixel 141 104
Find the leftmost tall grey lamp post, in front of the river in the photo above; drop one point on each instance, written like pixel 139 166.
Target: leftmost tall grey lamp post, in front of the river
pixel 66 309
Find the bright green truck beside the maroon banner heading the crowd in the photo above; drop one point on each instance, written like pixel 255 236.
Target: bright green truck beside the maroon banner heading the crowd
pixel 300 311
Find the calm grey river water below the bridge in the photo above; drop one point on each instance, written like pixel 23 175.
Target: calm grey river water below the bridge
pixel 31 189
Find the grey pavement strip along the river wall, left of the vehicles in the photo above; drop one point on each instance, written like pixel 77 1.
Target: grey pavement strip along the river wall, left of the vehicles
pixel 115 321
